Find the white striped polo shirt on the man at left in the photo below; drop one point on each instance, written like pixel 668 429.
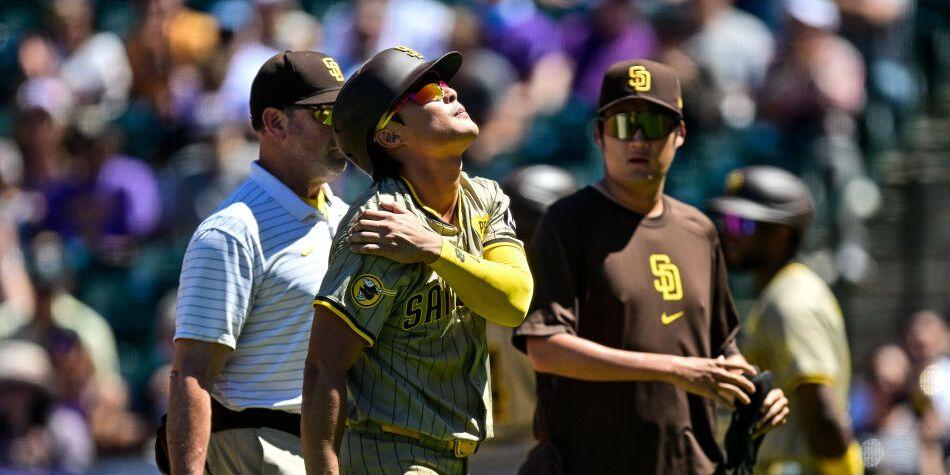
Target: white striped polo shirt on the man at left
pixel 248 281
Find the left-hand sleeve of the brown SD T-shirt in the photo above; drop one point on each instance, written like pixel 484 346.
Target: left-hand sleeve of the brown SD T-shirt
pixel 553 256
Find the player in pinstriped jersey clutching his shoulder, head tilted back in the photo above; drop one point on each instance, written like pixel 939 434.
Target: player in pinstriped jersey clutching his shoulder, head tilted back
pixel 426 256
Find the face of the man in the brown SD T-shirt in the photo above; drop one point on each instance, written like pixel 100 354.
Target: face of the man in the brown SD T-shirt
pixel 638 159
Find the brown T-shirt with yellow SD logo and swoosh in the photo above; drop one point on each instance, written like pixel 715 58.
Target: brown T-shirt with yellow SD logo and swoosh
pixel 607 274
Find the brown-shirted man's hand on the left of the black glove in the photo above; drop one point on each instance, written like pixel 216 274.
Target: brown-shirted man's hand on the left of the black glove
pixel 716 379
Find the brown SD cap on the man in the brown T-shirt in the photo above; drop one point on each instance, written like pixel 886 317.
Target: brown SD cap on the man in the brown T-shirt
pixel 641 79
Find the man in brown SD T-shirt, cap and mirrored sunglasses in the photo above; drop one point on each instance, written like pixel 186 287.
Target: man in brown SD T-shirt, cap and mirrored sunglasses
pixel 632 326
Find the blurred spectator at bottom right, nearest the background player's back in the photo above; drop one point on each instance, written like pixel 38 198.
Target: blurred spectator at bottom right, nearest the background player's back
pixel 893 434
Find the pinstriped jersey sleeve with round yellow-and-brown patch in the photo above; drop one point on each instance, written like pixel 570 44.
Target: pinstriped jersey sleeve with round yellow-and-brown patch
pixel 363 289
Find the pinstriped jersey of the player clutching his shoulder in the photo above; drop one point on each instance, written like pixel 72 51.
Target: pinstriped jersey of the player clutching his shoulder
pixel 427 366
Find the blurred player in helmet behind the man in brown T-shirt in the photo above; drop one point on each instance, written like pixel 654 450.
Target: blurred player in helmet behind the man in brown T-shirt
pixel 795 329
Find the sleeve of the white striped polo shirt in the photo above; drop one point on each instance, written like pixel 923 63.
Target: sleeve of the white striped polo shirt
pixel 215 288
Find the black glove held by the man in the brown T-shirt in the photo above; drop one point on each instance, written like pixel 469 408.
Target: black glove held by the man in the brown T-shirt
pixel 741 448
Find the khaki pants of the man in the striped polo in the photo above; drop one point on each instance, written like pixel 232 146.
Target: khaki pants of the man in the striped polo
pixel 254 451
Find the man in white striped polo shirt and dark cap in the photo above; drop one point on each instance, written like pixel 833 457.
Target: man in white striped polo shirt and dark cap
pixel 247 283
